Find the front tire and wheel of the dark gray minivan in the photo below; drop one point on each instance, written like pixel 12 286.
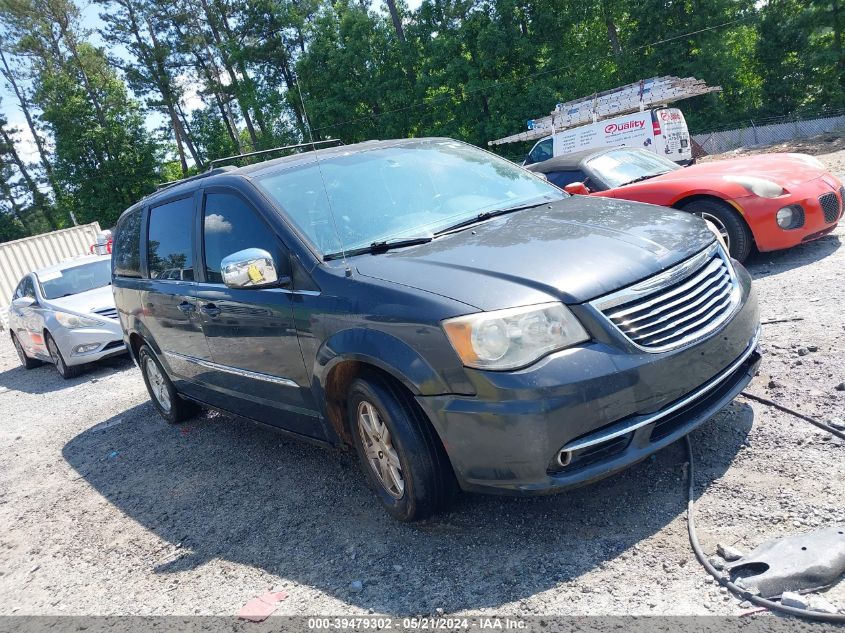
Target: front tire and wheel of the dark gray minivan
pixel 402 457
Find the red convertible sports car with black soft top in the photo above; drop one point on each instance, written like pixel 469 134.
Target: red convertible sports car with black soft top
pixel 770 201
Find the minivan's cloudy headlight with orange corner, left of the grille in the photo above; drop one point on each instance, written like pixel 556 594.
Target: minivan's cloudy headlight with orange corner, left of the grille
pixel 507 339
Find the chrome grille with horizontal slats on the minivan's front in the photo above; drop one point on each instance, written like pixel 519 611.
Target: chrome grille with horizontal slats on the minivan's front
pixel 678 306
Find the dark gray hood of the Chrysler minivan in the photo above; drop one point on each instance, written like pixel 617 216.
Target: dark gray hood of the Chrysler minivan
pixel 572 250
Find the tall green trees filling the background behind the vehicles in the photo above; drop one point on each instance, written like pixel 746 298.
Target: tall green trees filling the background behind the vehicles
pixel 470 69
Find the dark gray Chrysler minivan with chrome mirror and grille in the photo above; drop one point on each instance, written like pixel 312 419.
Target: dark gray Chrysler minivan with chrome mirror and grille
pixel 457 320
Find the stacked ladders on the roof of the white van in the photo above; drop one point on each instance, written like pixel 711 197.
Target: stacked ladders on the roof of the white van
pixel 634 97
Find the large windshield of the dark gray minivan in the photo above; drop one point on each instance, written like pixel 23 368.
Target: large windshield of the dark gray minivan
pixel 411 190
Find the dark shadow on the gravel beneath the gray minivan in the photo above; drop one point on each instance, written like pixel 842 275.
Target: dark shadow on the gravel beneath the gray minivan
pixel 220 488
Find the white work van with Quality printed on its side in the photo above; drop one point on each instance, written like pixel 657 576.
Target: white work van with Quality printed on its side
pixel 661 130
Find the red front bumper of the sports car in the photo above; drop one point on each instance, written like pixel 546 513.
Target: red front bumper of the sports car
pixel 760 214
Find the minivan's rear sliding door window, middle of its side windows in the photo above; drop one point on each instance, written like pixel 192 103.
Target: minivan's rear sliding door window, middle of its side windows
pixel 170 254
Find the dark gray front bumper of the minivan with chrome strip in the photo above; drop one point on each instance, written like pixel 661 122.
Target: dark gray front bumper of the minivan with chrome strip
pixel 607 404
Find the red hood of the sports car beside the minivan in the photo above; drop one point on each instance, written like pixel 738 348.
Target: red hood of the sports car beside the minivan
pixel 787 170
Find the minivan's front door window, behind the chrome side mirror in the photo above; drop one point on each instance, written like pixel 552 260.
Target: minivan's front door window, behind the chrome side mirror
pixel 231 225
